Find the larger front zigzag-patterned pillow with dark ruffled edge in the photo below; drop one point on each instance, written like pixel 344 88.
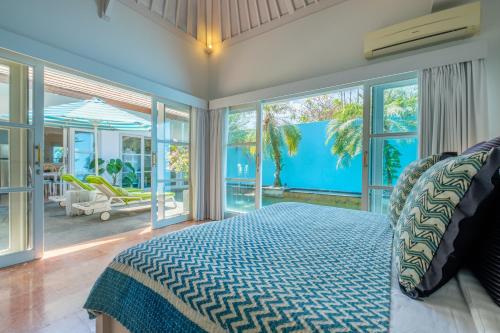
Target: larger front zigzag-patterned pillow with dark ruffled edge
pixel 425 251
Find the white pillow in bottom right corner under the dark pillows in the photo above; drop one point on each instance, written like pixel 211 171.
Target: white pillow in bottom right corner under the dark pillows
pixel 485 313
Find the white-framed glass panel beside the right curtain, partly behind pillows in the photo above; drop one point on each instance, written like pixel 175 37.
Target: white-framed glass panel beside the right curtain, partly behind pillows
pixel 392 138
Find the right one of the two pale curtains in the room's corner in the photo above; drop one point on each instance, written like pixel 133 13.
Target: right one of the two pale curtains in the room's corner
pixel 217 165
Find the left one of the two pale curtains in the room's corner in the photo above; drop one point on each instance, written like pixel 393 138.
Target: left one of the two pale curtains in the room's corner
pixel 199 162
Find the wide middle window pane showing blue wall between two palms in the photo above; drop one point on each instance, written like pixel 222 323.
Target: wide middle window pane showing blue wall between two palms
pixel 311 149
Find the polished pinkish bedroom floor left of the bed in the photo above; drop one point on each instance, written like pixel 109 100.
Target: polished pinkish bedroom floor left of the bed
pixel 47 295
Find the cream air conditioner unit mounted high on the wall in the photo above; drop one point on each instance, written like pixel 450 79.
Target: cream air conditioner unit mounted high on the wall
pixel 446 25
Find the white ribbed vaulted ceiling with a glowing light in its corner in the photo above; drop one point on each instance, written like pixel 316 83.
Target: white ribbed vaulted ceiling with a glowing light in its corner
pixel 213 21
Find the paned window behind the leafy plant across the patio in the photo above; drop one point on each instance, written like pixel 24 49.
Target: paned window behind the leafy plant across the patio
pixel 136 155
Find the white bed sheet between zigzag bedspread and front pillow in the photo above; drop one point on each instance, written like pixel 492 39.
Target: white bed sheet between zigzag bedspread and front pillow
pixel 445 311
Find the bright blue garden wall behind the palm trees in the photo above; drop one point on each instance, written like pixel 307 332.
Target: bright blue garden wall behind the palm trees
pixel 314 167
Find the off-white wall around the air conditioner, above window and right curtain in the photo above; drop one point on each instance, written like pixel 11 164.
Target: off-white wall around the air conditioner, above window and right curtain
pixel 331 41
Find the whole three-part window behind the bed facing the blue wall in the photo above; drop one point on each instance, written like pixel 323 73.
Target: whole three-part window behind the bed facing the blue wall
pixel 344 148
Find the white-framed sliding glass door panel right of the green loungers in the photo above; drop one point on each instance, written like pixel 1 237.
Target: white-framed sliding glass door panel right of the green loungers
pixel 171 163
